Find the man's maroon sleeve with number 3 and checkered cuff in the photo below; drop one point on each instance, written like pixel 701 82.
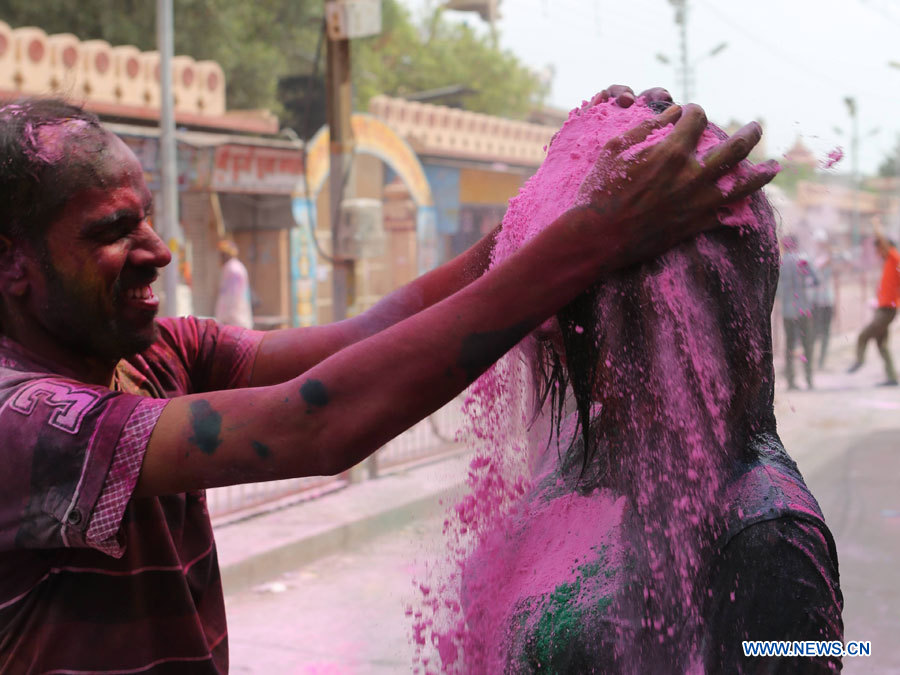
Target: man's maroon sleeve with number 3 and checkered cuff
pixel 72 454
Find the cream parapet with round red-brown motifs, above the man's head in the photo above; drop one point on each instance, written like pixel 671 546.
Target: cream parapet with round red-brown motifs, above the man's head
pixel 100 75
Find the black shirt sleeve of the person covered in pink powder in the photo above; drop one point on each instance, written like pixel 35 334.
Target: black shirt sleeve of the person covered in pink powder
pixel 776 580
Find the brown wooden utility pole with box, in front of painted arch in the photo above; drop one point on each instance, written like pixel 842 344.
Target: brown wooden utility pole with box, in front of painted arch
pixel 339 103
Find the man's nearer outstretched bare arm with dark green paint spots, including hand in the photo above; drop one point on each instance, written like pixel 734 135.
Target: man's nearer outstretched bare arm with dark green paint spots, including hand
pixel 352 402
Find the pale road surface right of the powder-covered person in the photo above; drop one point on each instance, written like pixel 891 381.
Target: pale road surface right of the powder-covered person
pixel 845 436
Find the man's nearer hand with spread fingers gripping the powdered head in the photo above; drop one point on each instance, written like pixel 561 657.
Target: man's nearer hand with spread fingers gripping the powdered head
pixel 663 194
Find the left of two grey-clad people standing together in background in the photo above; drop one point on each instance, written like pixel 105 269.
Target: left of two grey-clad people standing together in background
pixel 795 285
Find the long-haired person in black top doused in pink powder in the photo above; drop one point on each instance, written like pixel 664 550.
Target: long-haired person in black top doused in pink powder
pixel 666 523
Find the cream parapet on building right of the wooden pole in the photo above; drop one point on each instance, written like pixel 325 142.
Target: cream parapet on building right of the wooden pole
pixel 448 132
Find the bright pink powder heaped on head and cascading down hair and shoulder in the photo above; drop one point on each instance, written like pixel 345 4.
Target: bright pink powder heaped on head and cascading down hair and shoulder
pixel 462 619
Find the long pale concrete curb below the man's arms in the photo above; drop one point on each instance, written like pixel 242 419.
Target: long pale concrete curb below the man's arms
pixel 262 548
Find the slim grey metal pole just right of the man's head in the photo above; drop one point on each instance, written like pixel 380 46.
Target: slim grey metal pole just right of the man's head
pixel 168 214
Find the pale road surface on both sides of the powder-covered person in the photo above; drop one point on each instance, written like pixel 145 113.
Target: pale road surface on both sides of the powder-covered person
pixel 344 613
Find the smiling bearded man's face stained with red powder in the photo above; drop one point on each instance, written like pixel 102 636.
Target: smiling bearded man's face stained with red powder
pixel 91 289
